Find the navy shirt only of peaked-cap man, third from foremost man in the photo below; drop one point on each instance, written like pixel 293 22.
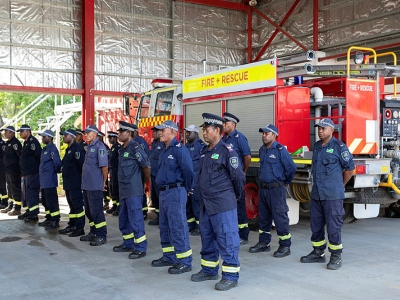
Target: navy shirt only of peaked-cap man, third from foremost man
pixel 132 160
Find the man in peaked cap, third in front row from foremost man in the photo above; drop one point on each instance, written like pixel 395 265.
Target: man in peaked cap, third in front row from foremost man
pixel 133 173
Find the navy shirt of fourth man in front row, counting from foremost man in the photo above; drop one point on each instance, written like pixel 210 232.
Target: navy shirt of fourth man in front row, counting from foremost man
pixel 95 159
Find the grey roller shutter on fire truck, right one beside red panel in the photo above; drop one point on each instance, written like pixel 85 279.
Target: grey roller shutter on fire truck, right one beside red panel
pixel 253 113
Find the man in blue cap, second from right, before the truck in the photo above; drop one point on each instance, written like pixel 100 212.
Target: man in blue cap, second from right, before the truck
pixel 276 172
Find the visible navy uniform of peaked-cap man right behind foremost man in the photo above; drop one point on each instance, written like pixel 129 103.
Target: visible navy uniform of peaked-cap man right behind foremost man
pixel 239 142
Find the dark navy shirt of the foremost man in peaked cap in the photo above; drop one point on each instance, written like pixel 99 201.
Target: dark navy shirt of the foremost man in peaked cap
pixel 221 178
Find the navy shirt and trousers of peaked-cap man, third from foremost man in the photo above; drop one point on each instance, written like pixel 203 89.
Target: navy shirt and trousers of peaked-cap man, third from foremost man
pixel 132 160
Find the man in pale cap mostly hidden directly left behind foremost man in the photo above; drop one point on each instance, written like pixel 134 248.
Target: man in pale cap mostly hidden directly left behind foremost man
pixel 194 144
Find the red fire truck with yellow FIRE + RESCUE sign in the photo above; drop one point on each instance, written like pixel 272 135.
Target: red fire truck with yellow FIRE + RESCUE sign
pixel 294 94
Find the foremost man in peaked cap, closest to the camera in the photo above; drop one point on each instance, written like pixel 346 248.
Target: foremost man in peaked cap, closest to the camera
pixel 221 182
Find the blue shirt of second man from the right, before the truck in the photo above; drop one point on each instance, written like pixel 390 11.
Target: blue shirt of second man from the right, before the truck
pixel 276 164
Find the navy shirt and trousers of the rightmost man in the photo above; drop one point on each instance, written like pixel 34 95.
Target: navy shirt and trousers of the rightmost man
pixel 328 163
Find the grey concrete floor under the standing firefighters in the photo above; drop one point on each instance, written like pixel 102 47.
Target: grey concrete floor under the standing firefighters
pixel 38 264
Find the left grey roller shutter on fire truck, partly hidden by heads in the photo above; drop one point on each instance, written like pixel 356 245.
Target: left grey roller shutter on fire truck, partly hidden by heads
pixel 193 112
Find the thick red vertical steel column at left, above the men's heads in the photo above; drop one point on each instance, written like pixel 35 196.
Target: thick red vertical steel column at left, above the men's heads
pixel 88 56
